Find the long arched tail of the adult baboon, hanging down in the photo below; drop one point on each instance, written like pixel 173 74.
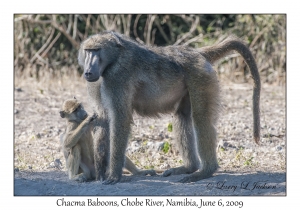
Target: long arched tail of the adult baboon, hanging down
pixel 213 53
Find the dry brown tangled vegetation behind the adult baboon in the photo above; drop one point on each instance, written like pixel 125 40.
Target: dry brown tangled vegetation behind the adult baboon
pixel 46 45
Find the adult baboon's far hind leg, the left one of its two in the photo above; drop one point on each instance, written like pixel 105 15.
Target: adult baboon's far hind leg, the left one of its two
pixel 185 140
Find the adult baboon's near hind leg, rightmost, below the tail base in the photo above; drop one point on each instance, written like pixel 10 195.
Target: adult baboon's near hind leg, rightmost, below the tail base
pixel 205 106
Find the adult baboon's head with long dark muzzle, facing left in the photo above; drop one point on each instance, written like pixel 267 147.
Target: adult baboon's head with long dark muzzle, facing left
pixel 97 53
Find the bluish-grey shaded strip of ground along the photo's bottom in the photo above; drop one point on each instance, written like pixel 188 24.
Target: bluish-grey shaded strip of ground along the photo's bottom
pixel 56 183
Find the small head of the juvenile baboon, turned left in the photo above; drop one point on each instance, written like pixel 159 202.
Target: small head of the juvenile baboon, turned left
pixel 72 110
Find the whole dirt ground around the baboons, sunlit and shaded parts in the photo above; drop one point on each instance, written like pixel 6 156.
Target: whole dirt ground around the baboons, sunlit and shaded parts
pixel 245 168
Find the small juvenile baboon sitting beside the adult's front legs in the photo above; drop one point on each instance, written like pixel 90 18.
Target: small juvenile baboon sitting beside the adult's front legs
pixel 77 141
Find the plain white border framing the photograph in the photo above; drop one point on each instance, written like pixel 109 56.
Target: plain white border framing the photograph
pixel 153 6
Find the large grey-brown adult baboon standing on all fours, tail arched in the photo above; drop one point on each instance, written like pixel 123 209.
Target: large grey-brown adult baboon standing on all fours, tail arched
pixel 157 80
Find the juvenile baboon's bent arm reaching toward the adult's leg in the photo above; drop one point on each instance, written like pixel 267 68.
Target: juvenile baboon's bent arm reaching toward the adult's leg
pixel 74 133
